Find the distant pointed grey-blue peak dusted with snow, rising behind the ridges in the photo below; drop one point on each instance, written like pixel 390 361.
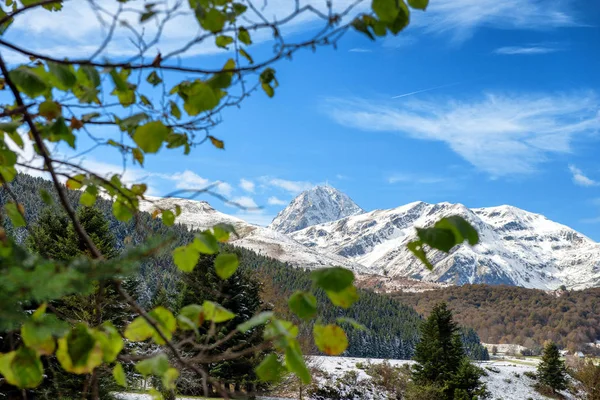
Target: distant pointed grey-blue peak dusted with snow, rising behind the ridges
pixel 315 206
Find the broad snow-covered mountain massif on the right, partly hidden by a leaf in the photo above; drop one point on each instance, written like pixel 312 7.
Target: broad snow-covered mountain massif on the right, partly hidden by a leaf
pixel 516 247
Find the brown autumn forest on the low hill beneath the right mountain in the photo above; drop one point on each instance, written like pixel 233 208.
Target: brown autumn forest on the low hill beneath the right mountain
pixel 516 315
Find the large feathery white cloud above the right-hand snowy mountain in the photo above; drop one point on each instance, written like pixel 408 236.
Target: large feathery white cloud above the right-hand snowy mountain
pixel 499 134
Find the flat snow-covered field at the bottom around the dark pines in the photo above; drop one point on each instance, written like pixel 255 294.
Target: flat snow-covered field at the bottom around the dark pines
pixel 505 380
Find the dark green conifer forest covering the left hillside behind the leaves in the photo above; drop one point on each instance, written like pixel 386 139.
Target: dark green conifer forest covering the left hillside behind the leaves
pixel 392 327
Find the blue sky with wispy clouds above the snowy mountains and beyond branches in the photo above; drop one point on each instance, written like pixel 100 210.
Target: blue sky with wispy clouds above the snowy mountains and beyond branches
pixel 479 102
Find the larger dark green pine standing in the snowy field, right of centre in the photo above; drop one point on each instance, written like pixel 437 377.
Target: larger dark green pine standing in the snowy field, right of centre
pixel 441 360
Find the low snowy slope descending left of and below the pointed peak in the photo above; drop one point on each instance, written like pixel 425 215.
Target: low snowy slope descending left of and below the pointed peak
pixel 200 215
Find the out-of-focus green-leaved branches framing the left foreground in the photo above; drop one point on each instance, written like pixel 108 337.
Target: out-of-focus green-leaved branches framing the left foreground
pixel 145 104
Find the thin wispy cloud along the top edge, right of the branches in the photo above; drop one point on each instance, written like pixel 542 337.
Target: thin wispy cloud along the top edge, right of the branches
pixel 461 18
